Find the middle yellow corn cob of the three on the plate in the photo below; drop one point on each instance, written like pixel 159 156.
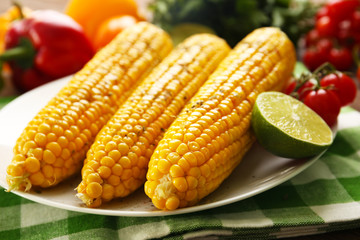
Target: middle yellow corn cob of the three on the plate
pixel 135 130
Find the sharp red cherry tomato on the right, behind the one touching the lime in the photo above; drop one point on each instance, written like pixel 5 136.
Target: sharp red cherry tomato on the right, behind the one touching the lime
pixel 343 85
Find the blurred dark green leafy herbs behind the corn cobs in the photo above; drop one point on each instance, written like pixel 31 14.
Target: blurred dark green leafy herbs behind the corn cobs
pixel 234 19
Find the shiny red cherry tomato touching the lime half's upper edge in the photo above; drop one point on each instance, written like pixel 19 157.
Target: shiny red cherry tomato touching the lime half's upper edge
pixel 325 103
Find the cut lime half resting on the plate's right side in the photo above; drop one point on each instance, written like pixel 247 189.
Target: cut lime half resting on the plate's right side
pixel 288 128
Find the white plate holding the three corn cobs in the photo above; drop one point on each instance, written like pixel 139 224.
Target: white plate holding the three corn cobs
pixel 258 172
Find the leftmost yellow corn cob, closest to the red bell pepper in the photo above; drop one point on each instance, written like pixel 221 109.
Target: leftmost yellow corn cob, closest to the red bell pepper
pixel 65 128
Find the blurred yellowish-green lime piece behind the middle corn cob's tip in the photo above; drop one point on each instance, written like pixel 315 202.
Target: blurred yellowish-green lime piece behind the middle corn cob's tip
pixel 184 30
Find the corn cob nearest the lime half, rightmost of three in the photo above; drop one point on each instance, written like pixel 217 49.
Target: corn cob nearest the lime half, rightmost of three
pixel 214 125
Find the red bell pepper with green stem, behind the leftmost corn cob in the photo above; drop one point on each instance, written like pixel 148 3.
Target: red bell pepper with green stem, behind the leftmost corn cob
pixel 43 47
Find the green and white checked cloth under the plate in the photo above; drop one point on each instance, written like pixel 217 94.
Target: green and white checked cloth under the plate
pixel 324 198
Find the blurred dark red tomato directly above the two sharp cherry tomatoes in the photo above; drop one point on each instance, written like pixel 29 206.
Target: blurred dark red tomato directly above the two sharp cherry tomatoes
pixel 341 58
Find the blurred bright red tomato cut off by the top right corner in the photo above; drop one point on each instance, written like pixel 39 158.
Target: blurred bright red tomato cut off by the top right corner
pixel 340 9
